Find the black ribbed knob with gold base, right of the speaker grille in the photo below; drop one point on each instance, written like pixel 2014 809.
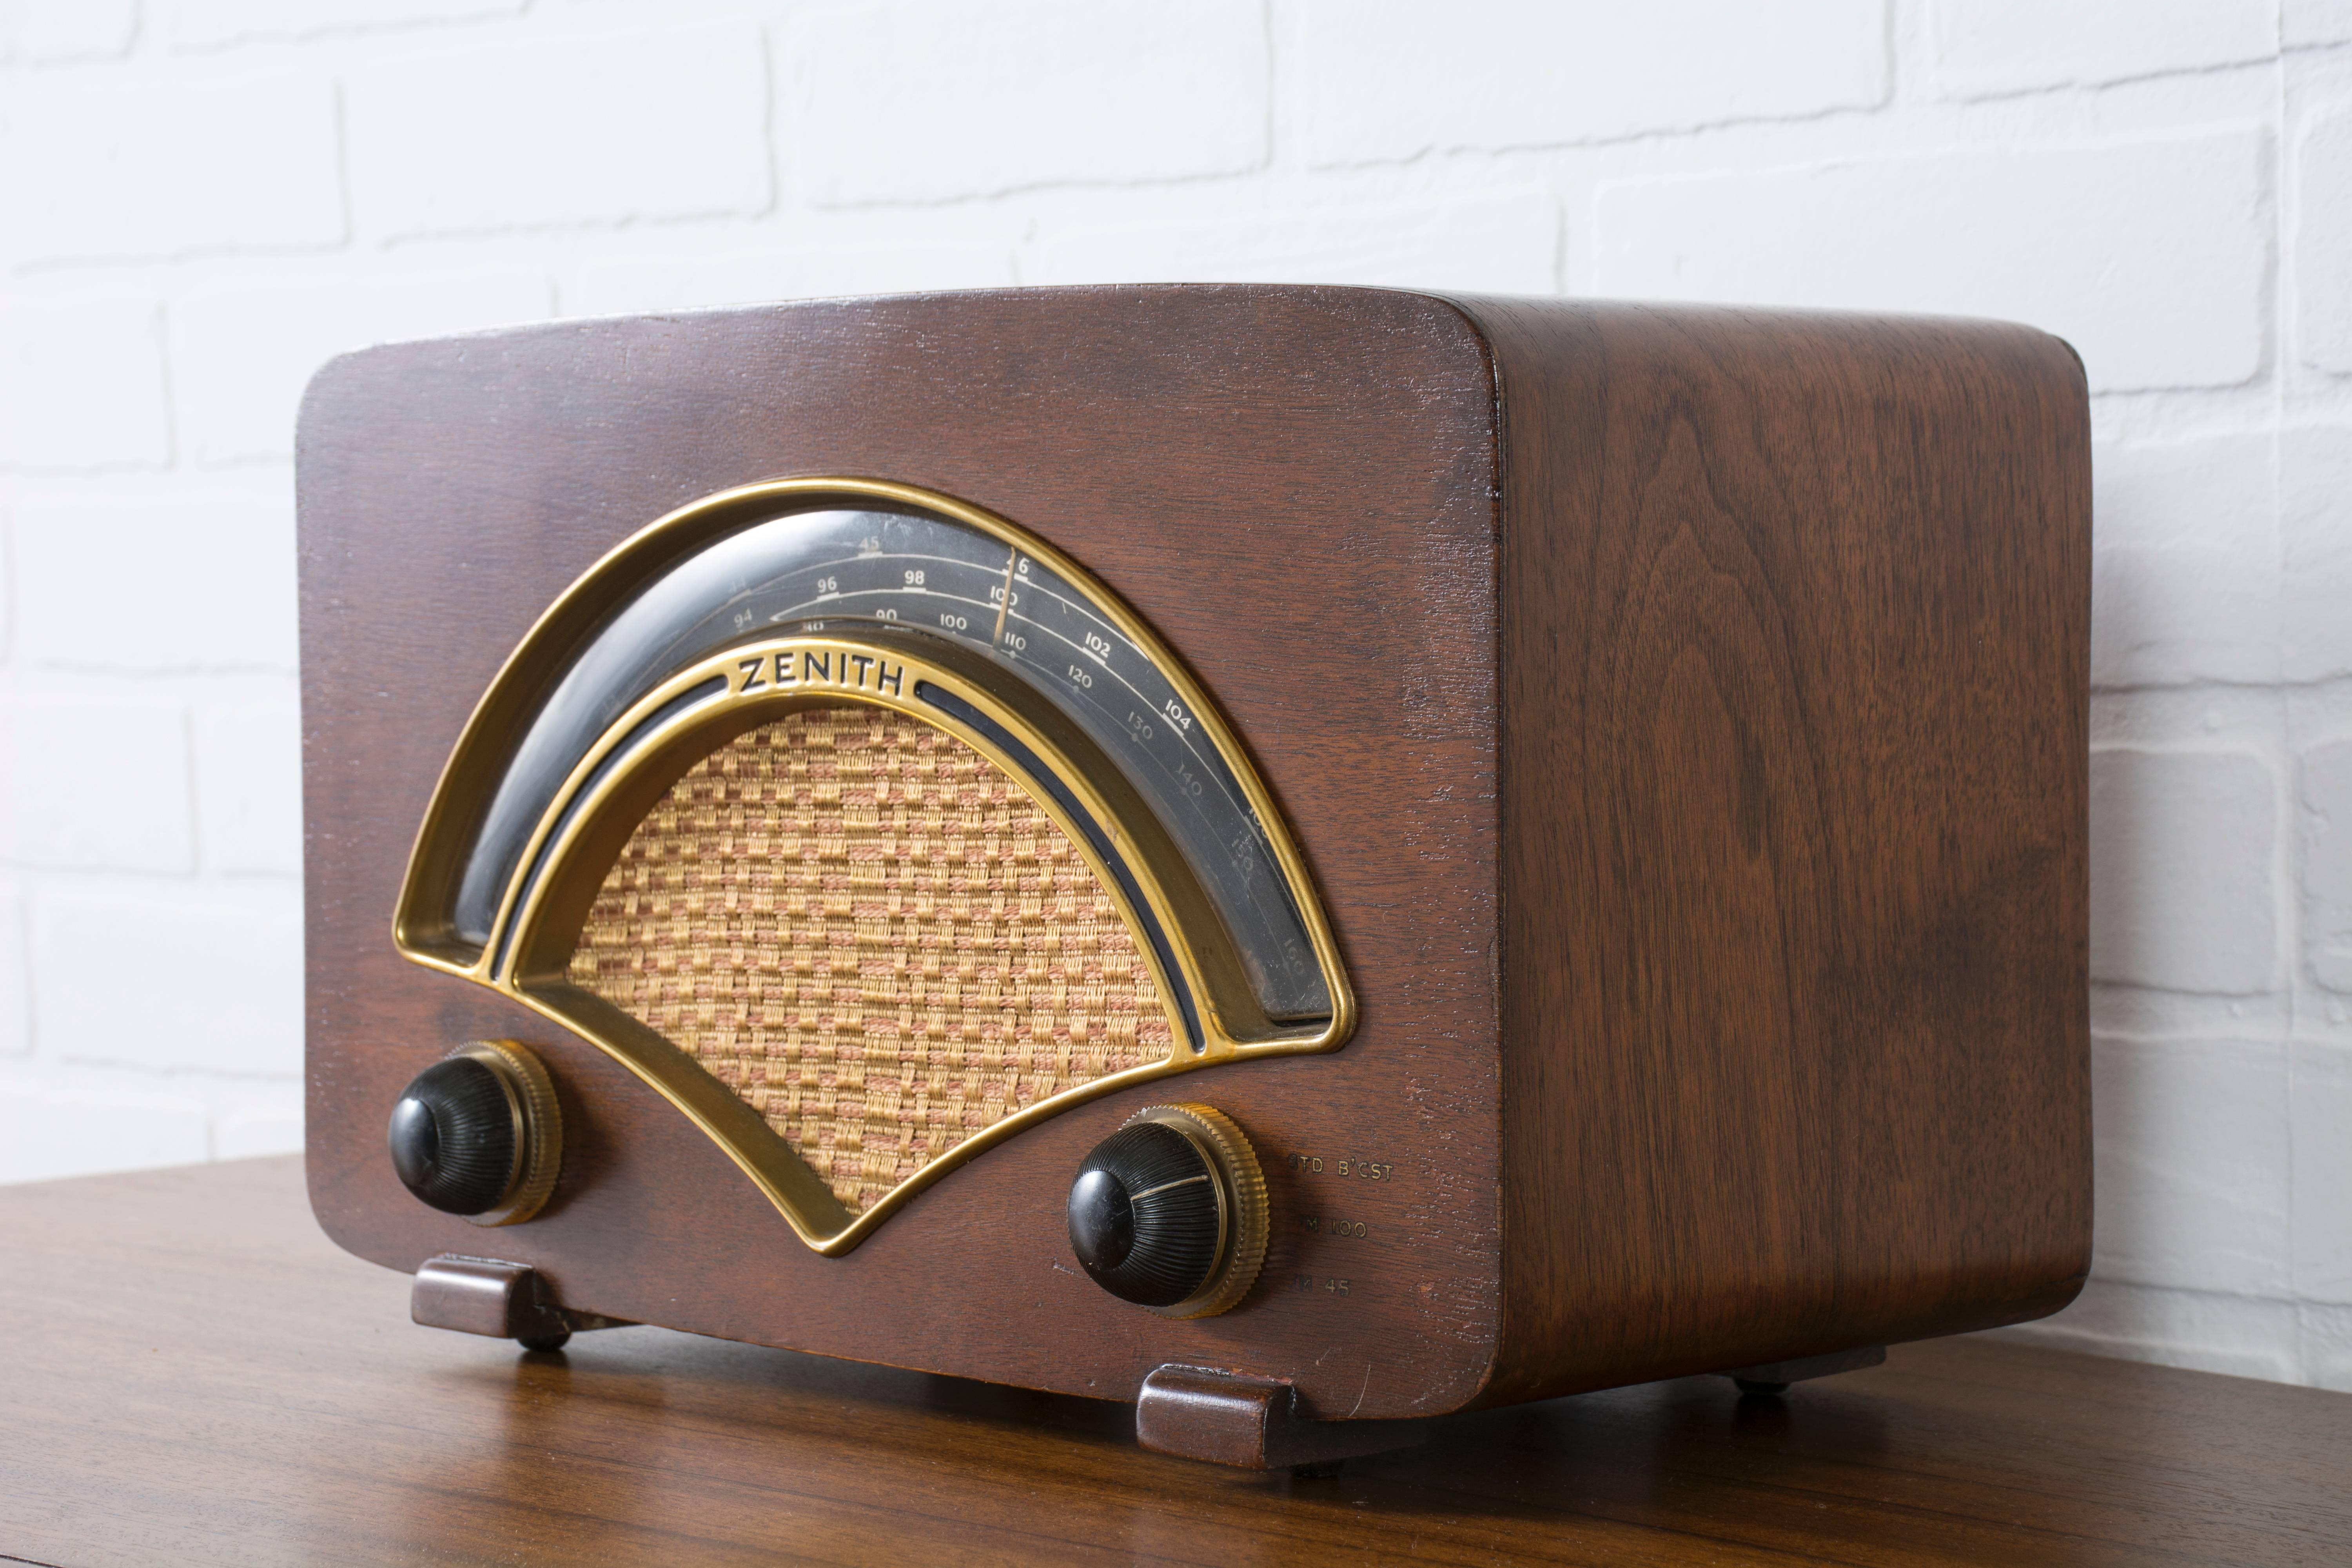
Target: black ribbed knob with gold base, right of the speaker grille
pixel 1170 1212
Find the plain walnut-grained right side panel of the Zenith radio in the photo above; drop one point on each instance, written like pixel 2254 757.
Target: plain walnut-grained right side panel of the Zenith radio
pixel 1796 683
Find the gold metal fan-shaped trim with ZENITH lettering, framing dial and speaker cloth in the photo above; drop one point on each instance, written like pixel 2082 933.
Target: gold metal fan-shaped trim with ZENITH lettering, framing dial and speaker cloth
pixel 610 791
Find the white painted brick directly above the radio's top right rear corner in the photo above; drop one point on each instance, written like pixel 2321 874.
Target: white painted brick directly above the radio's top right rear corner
pixel 2087 241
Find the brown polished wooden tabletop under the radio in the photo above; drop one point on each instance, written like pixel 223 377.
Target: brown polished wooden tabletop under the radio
pixel 192 1374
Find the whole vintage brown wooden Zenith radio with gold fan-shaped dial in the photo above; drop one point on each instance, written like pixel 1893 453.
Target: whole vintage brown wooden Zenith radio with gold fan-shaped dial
pixel 1299 857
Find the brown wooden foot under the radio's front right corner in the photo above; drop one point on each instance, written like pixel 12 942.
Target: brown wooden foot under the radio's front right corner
pixel 1255 1423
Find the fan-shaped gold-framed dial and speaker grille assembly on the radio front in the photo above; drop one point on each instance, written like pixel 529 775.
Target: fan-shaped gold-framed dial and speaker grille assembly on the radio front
pixel 857 810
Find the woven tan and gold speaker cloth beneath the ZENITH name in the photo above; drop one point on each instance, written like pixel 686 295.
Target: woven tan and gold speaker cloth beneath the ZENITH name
pixel 874 937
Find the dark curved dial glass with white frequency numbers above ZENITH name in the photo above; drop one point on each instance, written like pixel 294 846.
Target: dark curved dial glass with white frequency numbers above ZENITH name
pixel 926 577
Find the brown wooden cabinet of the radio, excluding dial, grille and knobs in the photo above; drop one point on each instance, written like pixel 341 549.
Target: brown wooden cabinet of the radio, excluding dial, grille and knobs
pixel 1681 711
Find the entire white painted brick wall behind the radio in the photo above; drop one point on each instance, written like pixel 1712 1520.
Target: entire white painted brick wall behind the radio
pixel 206 199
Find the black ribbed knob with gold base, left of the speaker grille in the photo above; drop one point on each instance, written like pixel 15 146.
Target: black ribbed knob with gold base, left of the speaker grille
pixel 476 1134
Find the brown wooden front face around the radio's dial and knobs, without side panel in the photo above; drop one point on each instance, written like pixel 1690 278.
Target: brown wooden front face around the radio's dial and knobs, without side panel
pixel 1295 488
